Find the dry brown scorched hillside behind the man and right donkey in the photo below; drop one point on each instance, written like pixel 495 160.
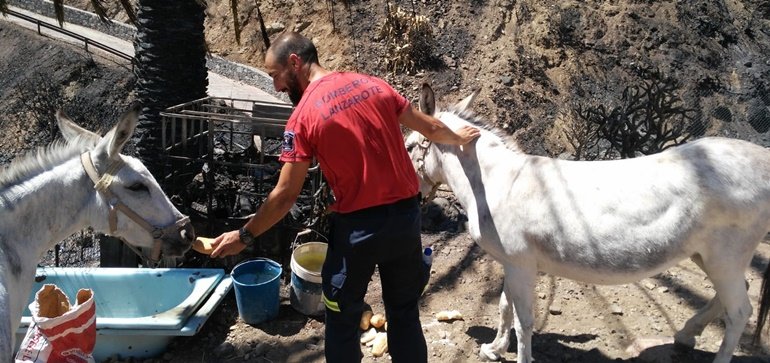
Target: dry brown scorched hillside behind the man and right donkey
pixel 536 62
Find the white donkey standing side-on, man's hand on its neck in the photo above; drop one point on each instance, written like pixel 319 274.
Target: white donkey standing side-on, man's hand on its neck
pixel 607 222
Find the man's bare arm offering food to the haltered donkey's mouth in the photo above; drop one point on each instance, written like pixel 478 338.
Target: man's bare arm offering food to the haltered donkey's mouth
pixel 275 207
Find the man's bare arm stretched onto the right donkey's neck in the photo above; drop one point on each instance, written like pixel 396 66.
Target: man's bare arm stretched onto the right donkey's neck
pixel 434 129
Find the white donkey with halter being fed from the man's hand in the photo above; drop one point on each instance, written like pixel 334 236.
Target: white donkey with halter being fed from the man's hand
pixel 85 181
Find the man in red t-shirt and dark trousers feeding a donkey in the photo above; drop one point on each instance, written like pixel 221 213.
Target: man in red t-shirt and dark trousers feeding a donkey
pixel 350 123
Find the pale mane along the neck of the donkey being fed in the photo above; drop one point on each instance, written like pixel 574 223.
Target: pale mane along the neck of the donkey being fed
pixel 43 158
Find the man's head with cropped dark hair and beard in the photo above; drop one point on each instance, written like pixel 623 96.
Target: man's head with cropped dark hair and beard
pixel 288 62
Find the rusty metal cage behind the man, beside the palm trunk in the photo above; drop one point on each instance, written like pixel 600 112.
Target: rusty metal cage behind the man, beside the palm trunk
pixel 221 160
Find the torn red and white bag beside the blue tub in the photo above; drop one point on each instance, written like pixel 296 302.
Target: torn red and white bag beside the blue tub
pixel 60 333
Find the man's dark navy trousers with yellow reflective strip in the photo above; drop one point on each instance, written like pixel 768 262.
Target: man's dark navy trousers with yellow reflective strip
pixel 386 236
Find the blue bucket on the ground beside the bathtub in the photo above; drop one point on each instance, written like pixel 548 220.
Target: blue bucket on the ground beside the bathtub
pixel 256 289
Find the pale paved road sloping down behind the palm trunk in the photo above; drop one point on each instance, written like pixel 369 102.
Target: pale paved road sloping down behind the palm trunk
pixel 219 86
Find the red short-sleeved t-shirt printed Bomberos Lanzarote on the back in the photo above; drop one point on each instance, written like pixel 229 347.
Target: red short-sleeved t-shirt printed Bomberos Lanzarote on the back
pixel 349 123
